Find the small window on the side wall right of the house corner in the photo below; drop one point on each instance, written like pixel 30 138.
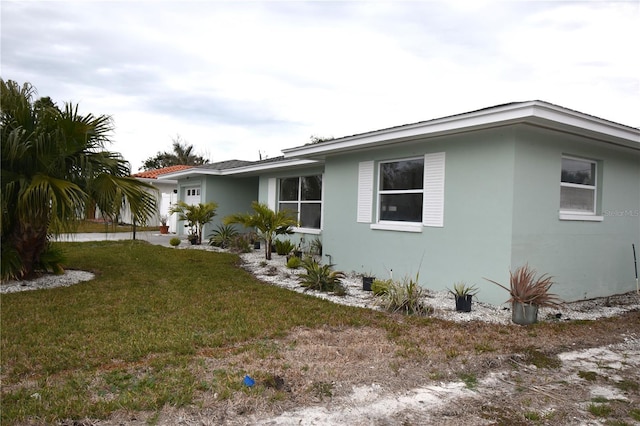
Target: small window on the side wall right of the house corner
pixel 578 186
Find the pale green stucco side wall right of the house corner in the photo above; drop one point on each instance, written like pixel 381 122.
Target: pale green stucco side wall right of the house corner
pixel 587 259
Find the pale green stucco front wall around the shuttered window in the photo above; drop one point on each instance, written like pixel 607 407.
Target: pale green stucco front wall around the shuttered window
pixel 475 241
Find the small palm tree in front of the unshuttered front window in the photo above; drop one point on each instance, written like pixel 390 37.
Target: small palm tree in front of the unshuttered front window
pixel 267 223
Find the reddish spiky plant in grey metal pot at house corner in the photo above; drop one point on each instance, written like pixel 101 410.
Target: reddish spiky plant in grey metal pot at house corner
pixel 528 294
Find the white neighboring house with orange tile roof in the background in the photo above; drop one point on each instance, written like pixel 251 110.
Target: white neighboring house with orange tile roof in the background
pixel 167 194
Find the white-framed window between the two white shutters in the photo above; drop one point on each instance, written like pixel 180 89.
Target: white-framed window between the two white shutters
pixel 401 190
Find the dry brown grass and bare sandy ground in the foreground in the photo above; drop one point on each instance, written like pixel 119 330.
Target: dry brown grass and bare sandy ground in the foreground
pixel 352 376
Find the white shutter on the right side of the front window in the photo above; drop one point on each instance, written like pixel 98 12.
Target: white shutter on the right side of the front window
pixel 433 201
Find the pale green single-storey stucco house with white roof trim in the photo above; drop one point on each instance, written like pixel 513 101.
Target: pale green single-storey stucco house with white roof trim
pixel 460 198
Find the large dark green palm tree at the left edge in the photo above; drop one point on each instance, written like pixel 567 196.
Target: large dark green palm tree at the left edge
pixel 54 162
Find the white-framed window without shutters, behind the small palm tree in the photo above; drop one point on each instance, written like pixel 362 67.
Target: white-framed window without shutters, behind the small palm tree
pixel 302 195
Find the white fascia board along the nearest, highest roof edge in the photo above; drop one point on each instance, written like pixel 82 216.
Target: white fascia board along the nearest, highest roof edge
pixel 535 112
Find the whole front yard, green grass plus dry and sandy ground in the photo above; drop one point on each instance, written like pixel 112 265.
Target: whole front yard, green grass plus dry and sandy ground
pixel 163 336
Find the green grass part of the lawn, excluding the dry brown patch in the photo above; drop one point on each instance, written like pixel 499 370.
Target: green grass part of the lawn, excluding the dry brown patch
pixel 67 353
